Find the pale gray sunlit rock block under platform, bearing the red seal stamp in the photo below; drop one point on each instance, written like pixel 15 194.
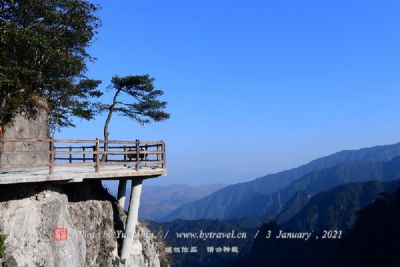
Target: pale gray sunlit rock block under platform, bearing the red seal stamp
pixel 29 224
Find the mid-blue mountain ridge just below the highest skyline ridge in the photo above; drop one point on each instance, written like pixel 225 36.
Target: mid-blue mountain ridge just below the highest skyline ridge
pixel 268 206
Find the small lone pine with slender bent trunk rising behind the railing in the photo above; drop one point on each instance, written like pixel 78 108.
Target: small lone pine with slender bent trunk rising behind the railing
pixel 136 98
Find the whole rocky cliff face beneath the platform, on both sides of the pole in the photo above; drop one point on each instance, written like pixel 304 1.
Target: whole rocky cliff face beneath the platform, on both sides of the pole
pixel 34 217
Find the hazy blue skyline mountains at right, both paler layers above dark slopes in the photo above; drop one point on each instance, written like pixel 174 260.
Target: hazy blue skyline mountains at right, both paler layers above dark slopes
pixel 266 196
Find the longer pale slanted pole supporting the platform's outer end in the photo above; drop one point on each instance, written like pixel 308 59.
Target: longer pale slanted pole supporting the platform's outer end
pixel 131 222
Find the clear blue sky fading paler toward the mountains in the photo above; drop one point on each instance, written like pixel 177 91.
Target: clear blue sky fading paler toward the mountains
pixel 254 87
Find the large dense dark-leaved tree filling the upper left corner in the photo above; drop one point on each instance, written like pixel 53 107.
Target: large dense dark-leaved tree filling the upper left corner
pixel 43 55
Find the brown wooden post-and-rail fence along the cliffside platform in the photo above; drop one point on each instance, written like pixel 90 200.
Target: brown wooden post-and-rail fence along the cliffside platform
pixel 74 153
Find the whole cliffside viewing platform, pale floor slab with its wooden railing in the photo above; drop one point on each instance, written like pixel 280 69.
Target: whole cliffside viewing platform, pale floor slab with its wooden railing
pixel 34 160
